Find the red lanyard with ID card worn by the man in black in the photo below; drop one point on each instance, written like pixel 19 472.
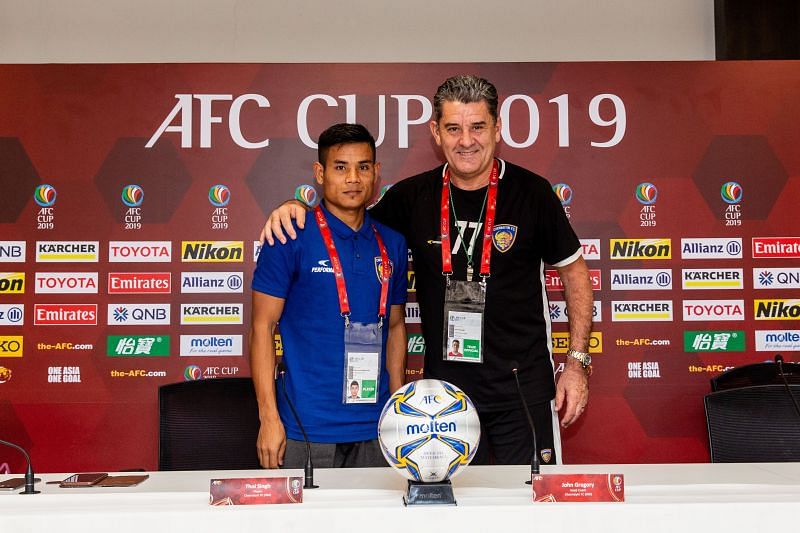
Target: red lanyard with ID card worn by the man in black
pixel 465 301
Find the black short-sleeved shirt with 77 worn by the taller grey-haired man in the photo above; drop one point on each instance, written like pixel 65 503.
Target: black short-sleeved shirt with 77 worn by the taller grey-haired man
pixel 532 230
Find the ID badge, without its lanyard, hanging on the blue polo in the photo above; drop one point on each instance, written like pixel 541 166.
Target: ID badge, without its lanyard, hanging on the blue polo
pixel 363 345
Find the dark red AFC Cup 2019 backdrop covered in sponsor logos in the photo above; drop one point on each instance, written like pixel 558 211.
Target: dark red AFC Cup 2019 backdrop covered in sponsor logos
pixel 133 196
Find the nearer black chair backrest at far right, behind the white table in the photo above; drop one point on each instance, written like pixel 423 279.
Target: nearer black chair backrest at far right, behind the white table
pixel 753 425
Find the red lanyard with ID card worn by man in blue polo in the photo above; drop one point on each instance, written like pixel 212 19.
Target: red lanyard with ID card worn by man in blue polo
pixel 363 343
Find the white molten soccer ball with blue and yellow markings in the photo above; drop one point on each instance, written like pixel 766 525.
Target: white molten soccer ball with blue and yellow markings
pixel 428 430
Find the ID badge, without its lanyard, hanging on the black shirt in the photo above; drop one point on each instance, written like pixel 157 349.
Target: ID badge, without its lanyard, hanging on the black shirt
pixel 464 306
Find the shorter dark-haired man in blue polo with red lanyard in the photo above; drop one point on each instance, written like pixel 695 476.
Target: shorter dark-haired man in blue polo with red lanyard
pixel 339 292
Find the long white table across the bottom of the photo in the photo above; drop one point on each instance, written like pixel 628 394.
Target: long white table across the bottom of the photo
pixel 673 498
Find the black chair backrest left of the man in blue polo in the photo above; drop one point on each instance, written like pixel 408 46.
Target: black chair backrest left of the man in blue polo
pixel 209 424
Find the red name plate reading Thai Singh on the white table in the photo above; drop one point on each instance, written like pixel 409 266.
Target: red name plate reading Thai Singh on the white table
pixel 256 490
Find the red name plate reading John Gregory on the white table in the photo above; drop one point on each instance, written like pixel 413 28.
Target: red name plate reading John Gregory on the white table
pixel 578 487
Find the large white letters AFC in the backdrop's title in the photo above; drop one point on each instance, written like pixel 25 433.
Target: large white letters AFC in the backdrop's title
pixel 183 111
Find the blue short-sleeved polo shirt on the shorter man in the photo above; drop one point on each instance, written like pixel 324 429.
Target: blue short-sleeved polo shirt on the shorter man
pixel 312 329
